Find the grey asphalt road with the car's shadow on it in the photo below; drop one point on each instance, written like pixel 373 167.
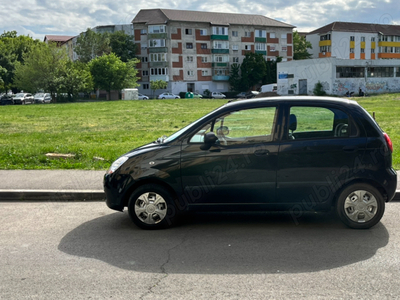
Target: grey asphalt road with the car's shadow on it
pixel 83 250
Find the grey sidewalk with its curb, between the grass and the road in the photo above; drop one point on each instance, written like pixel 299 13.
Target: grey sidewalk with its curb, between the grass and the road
pixel 62 185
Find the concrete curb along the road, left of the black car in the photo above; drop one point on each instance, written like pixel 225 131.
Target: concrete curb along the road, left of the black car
pixel 52 195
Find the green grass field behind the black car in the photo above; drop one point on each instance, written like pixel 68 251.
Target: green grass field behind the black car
pixel 108 129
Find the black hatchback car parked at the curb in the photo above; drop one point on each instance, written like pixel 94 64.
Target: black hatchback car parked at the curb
pixel 282 153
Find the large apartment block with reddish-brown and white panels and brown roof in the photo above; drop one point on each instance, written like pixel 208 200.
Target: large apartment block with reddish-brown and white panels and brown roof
pixel 193 50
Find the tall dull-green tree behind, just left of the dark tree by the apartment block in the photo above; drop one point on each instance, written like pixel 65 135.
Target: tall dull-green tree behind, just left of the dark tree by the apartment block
pixel 91 44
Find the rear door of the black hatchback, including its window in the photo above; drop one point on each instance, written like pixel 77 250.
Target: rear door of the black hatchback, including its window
pixel 322 149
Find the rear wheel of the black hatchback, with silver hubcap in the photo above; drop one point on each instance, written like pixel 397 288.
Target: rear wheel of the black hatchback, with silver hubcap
pixel 360 206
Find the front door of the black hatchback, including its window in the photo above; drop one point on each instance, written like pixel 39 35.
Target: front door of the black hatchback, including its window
pixel 240 168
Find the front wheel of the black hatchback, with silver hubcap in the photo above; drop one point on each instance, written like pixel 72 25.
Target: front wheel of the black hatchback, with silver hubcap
pixel 152 206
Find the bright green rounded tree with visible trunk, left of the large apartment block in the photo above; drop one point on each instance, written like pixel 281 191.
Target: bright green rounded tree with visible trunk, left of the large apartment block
pixel 110 73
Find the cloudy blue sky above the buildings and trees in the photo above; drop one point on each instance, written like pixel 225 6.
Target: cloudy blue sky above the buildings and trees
pixel 65 17
